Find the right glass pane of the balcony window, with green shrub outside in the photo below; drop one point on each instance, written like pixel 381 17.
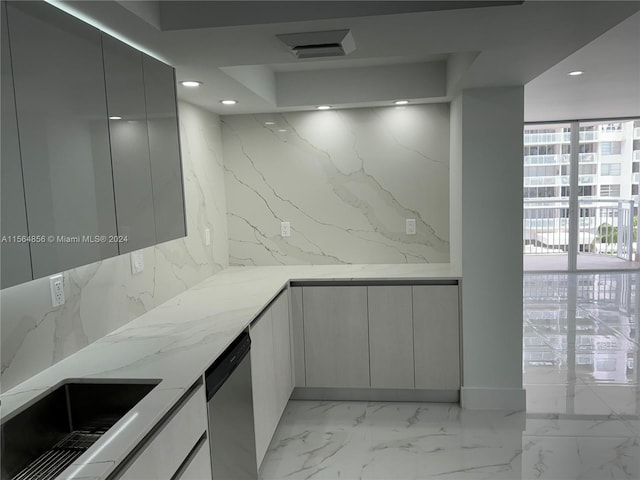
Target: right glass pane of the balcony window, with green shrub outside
pixel 608 194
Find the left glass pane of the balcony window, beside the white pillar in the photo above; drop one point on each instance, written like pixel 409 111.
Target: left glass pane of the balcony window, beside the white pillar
pixel 547 151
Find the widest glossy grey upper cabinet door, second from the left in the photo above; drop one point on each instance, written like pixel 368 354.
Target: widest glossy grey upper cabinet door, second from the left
pixel 64 139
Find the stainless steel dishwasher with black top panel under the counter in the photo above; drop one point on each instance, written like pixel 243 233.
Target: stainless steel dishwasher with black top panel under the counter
pixel 230 409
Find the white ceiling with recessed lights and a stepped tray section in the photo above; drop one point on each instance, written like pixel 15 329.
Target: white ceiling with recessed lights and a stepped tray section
pixel 426 54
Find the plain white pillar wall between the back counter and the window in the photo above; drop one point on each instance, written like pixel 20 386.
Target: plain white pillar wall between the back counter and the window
pixel 491 222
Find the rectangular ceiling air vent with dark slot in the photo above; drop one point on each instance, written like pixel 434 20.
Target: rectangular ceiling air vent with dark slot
pixel 333 43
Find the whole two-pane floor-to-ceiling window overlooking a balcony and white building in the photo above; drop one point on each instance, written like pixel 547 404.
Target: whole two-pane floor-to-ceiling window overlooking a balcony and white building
pixel 581 195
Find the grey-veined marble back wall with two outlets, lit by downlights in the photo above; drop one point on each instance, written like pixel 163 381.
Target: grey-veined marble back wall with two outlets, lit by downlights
pixel 346 180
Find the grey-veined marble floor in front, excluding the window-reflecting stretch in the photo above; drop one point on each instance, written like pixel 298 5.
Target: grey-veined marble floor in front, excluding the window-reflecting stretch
pixel 397 441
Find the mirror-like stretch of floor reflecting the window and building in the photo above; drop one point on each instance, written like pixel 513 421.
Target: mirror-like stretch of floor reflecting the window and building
pixel 581 342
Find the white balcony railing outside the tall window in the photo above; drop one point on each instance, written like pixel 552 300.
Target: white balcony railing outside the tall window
pixel 606 226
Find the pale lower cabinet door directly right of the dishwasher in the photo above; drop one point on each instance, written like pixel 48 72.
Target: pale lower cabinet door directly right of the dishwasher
pixel 263 383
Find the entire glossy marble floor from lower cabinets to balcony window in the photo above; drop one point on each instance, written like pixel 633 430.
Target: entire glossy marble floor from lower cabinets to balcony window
pixel 580 371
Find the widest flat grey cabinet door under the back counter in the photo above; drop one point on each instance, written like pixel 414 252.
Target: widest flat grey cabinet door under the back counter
pixel 336 337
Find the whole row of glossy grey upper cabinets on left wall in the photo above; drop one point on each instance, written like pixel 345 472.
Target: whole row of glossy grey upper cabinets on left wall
pixel 90 145
